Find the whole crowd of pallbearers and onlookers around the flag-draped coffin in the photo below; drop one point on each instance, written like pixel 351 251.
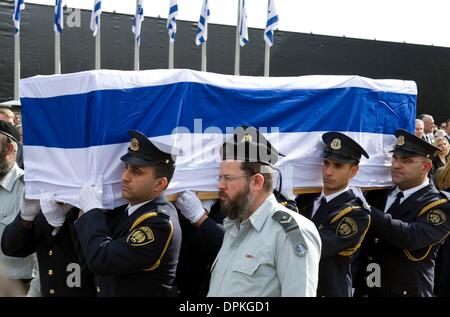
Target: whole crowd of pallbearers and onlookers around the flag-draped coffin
pixel 253 241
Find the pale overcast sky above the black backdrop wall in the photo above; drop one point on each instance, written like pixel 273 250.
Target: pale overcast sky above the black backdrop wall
pixel 411 21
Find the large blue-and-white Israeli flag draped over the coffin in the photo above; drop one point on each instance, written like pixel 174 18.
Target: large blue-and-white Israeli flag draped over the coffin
pixel 75 125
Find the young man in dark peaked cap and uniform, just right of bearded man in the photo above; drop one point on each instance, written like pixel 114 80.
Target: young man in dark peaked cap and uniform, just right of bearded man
pixel 341 218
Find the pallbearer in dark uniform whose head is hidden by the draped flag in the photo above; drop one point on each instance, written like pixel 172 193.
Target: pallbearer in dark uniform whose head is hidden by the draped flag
pixel 36 229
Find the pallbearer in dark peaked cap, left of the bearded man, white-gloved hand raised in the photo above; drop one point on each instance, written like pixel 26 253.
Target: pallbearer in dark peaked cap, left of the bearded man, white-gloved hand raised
pixel 133 249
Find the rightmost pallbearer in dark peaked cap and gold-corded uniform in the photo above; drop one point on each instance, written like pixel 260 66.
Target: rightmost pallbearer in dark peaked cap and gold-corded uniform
pixel 409 222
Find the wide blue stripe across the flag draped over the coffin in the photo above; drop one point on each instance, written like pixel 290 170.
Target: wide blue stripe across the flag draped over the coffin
pixel 103 117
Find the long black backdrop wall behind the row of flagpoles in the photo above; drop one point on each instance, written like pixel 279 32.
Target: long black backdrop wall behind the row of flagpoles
pixel 294 54
